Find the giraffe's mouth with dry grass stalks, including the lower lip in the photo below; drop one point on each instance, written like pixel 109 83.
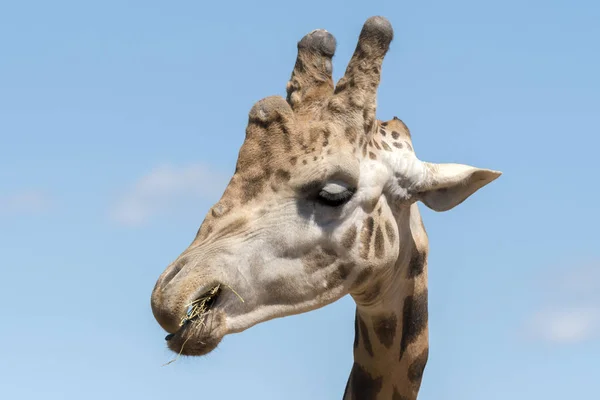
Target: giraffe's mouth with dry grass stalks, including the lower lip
pixel 198 332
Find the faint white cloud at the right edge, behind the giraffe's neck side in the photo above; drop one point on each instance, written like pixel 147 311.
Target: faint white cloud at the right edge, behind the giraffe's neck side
pixel 571 311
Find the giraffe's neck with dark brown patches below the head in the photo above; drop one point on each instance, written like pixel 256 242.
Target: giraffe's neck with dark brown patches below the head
pixel 391 335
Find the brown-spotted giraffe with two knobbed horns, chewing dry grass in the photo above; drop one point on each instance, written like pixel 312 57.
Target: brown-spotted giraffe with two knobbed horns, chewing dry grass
pixel 323 203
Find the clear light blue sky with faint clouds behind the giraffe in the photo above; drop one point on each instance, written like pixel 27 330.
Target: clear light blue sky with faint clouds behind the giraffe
pixel 120 124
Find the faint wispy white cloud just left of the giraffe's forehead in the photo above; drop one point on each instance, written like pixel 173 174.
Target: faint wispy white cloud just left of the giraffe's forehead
pixel 167 189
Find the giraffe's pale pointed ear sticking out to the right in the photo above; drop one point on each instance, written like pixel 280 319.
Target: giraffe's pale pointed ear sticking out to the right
pixel 448 185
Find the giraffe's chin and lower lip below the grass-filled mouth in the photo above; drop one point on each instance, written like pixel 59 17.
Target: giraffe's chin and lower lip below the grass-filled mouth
pixel 199 336
